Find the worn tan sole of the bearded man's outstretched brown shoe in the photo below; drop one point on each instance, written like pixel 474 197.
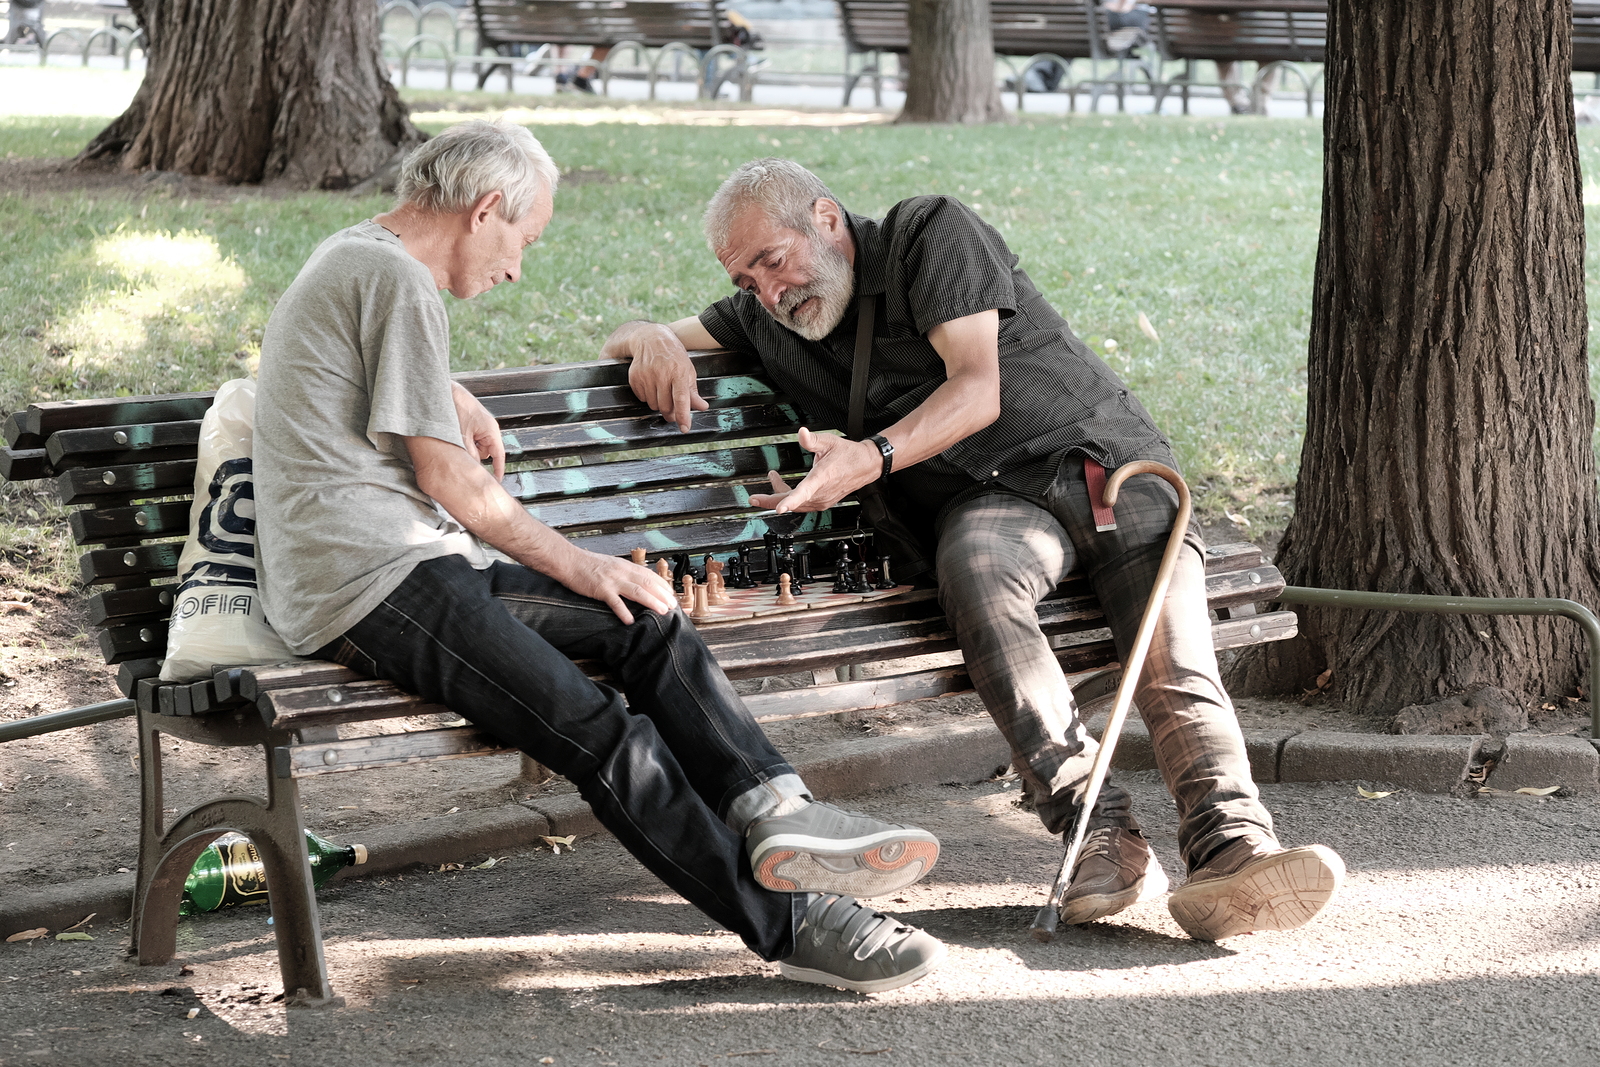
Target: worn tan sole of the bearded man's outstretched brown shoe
pixel 1276 892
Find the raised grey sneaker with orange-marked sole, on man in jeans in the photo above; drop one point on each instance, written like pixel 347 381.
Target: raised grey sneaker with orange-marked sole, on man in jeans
pixel 825 850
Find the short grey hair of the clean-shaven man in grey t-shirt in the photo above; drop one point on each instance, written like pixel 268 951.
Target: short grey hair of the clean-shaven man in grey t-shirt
pixel 473 159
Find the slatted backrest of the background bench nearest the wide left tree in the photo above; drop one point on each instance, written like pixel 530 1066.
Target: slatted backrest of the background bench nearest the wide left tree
pixel 650 23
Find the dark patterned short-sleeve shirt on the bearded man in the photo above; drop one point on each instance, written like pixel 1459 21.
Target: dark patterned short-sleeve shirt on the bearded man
pixel 929 262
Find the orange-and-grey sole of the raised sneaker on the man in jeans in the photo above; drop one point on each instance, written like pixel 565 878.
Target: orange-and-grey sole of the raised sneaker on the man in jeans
pixel 860 868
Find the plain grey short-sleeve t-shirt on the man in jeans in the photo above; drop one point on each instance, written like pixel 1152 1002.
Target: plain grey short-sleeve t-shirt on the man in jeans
pixel 356 356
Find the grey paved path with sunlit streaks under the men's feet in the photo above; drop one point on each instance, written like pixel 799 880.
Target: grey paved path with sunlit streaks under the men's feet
pixel 1468 930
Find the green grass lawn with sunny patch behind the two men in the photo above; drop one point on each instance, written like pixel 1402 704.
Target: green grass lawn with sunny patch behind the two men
pixel 1206 228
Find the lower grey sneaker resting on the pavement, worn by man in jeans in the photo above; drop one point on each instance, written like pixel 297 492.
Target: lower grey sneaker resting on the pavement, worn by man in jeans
pixel 847 945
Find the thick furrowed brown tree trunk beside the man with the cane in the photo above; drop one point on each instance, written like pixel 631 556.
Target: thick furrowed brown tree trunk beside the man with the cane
pixel 1450 433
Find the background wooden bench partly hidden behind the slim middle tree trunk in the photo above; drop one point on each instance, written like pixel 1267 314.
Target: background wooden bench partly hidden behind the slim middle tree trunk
pixel 1038 31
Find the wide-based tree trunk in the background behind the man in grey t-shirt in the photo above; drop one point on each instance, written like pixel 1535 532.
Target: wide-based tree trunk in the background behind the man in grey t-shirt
pixel 262 90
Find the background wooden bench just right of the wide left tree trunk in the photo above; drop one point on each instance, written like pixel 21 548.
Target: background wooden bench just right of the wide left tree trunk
pixel 697 30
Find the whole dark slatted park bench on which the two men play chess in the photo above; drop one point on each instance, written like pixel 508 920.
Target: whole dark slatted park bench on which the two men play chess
pixel 585 458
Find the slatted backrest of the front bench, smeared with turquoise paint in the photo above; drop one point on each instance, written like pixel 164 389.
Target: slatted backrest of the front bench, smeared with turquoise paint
pixel 583 454
